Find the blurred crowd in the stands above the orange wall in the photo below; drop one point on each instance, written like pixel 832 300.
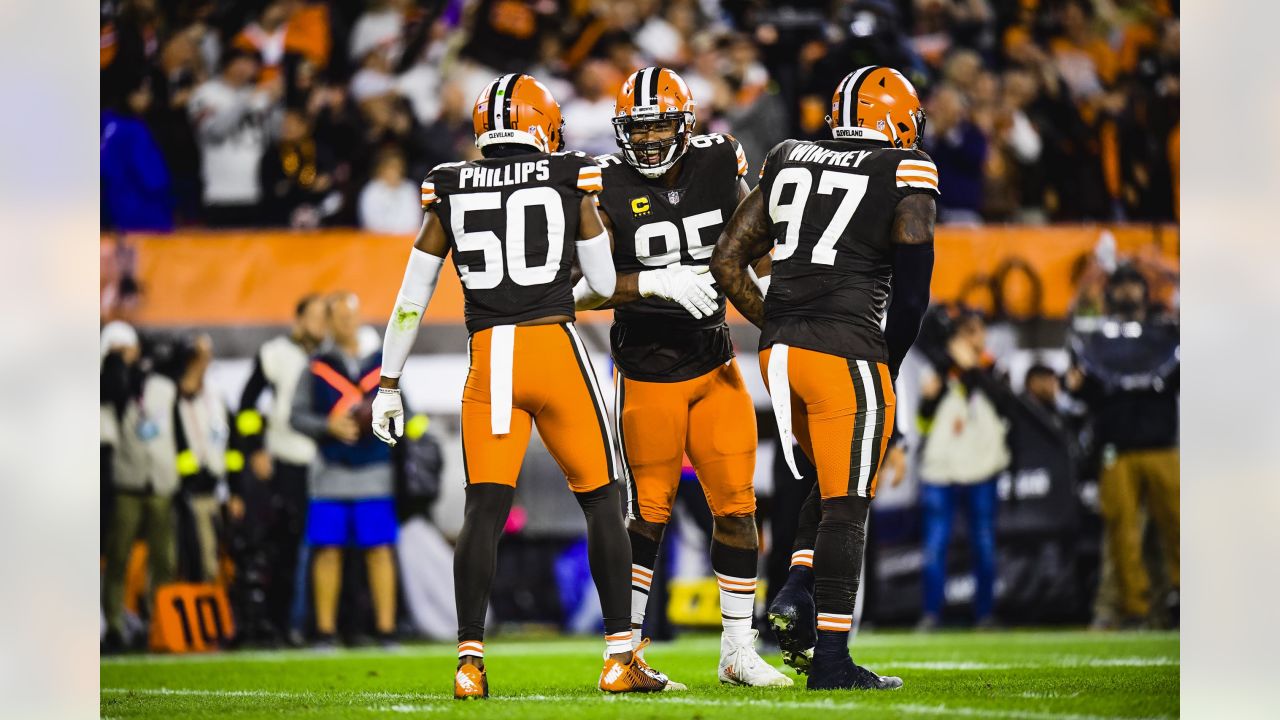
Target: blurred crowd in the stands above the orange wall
pixel 310 113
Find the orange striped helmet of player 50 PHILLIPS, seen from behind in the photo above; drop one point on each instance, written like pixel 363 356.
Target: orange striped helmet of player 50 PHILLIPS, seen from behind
pixel 520 111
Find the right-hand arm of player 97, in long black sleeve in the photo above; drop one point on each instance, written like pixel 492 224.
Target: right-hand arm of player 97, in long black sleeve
pixel 913 270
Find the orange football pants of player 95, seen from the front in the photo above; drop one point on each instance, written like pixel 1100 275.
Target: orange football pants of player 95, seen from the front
pixel 712 418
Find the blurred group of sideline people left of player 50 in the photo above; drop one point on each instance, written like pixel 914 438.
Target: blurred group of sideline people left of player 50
pixel 268 499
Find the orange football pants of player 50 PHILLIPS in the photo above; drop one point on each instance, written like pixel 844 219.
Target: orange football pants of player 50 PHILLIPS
pixel 554 386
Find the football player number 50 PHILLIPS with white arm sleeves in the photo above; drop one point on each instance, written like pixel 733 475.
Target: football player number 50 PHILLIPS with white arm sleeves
pixel 515 222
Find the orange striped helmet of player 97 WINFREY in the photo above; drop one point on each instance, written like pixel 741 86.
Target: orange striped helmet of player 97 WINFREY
pixel 876 103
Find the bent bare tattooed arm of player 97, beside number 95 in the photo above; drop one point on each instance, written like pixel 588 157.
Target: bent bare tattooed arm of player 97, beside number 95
pixel 746 239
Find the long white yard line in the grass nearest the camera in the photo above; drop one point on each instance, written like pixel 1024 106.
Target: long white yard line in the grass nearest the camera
pixel 442 701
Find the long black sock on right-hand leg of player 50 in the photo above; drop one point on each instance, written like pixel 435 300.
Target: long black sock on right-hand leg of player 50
pixel 609 550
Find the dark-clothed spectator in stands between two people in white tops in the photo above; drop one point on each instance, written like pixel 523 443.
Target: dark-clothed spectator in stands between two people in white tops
pixel 296 177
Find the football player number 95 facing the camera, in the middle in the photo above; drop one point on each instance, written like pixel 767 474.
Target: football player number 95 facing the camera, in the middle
pixel 668 197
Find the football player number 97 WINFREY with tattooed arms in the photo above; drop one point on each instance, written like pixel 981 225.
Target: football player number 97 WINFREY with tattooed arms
pixel 852 225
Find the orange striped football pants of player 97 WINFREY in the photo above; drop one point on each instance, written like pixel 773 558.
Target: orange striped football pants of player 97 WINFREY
pixel 842 416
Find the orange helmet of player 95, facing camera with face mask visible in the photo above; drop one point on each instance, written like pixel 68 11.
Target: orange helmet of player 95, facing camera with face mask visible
pixel 655 95
